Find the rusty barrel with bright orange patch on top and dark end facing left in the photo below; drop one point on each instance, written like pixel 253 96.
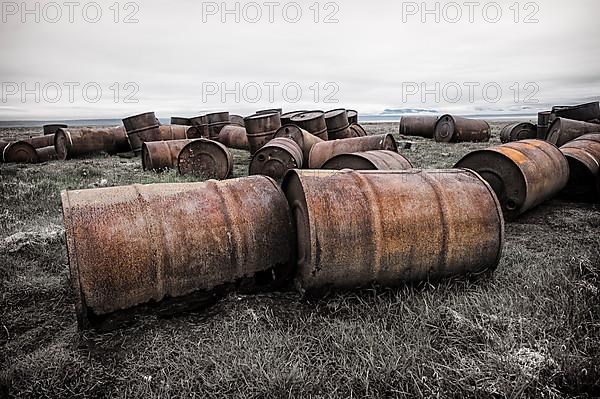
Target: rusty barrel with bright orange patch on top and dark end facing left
pixel 523 174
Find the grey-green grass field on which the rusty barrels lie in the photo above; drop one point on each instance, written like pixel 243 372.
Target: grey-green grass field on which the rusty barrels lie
pixel 530 329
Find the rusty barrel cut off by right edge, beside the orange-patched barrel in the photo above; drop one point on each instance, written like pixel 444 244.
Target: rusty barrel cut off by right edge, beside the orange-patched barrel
pixel 583 155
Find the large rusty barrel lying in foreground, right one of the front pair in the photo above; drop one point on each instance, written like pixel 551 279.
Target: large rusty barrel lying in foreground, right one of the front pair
pixel 358 228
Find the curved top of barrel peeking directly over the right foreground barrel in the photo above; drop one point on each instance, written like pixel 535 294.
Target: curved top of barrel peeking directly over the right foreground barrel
pixel 369 160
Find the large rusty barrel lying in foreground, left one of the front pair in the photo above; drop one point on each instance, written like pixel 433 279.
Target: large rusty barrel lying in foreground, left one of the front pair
pixel 137 245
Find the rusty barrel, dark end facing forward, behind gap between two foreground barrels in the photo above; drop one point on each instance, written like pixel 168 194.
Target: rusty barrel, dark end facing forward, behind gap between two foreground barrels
pixel 276 158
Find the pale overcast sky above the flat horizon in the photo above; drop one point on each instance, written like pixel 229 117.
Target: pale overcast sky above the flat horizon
pixel 379 55
